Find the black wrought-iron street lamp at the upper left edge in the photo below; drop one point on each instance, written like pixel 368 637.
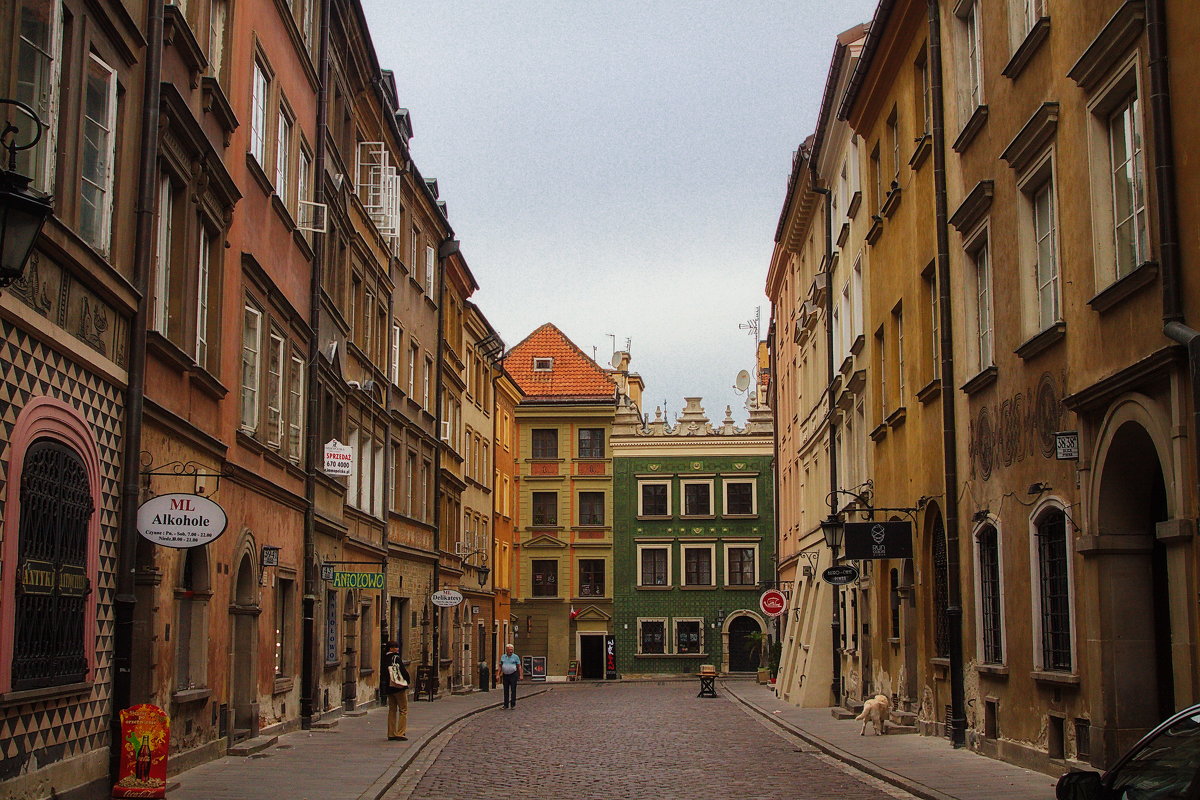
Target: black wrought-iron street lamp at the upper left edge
pixel 23 212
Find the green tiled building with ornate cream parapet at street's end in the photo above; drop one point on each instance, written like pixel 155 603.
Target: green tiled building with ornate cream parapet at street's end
pixel 693 540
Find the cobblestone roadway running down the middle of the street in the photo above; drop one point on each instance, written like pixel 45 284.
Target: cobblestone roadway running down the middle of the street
pixel 628 742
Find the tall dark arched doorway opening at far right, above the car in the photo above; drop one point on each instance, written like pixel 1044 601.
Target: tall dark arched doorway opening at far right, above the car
pixel 1136 623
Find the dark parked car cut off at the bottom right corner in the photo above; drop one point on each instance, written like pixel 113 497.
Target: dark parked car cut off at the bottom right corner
pixel 1163 766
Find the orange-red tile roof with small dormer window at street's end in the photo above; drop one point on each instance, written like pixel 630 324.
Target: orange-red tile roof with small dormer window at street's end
pixel 573 375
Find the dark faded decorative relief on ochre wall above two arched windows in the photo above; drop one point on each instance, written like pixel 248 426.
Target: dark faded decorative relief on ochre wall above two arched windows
pixel 1019 426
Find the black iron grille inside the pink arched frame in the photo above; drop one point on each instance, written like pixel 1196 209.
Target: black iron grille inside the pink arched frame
pixel 53 585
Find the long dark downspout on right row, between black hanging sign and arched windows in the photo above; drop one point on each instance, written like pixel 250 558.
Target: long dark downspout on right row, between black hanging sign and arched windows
pixel 950 452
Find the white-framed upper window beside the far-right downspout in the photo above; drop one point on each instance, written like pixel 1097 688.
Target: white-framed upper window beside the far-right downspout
pixel 1130 226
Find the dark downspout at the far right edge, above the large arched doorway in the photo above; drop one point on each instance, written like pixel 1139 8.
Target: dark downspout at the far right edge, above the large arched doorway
pixel 1162 124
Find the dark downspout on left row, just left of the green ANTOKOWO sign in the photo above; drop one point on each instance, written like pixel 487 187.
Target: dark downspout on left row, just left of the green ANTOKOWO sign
pixel 309 673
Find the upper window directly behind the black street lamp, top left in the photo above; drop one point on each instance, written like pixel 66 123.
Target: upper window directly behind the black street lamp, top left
pixel 38 85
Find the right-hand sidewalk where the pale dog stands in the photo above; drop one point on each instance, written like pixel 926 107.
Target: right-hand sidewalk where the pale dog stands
pixel 922 766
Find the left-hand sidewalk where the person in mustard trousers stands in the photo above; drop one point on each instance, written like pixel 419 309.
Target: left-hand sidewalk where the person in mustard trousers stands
pixel 353 760
